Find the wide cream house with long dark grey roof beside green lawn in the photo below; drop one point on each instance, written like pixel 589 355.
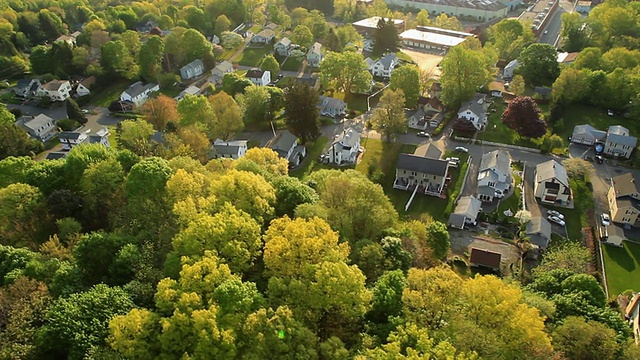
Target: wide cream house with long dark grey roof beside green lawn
pixel 421 174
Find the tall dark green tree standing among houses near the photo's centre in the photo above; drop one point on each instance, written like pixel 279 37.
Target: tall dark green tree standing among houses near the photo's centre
pixel 302 114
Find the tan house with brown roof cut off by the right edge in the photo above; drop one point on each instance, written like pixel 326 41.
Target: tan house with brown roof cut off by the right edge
pixel 624 200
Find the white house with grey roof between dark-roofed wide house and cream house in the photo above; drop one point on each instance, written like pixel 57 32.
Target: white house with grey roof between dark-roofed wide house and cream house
pixel 494 175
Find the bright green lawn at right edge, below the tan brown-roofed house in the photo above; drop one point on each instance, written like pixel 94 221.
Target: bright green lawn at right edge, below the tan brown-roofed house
pixel 622 266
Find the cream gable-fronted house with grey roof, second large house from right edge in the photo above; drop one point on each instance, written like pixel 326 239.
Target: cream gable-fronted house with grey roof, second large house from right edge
pixel 552 183
